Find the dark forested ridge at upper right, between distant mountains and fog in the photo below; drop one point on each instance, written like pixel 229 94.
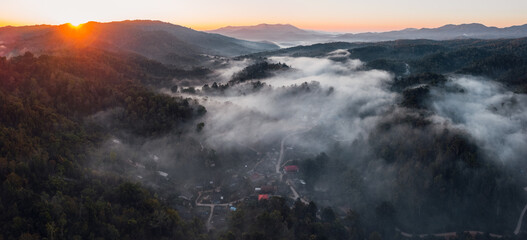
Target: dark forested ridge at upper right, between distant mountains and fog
pixel 503 60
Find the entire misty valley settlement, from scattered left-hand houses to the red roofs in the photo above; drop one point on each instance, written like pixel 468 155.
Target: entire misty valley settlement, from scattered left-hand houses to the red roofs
pixel 273 173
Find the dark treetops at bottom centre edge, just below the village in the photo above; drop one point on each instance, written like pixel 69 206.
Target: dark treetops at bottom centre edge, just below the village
pixel 275 219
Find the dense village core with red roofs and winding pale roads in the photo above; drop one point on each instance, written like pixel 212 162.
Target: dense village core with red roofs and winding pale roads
pixel 269 176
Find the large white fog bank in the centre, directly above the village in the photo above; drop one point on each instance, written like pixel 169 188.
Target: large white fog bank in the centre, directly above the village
pixel 319 93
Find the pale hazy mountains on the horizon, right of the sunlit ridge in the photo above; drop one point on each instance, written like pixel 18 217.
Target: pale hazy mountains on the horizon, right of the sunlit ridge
pixel 291 35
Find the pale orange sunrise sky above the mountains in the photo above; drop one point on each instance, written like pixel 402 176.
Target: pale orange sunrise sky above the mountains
pixel 327 15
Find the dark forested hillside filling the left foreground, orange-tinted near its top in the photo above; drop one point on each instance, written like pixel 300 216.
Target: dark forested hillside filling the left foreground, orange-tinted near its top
pixel 48 188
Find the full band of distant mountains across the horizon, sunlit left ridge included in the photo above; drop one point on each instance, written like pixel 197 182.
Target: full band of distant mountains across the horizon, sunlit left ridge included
pixel 174 44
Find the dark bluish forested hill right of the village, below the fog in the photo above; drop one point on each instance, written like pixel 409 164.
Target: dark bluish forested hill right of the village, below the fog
pixel 441 180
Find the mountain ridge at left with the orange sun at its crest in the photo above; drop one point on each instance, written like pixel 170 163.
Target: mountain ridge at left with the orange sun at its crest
pixel 164 42
